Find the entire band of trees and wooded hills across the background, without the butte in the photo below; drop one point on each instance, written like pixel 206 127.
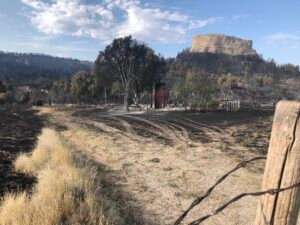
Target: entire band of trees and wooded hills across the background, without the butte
pixel 128 71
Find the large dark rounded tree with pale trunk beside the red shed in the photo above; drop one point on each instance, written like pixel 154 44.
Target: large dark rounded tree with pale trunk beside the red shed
pixel 134 64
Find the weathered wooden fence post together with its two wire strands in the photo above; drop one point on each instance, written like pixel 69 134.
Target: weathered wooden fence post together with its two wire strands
pixel 282 174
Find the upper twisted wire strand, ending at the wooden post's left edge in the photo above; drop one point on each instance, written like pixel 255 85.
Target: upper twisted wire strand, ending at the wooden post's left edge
pixel 199 199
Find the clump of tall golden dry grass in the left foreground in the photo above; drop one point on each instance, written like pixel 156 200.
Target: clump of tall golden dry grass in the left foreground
pixel 64 193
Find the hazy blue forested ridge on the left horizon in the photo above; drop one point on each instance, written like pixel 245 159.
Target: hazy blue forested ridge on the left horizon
pixel 37 69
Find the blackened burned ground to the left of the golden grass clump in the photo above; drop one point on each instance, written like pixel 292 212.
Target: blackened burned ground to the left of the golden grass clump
pixel 19 128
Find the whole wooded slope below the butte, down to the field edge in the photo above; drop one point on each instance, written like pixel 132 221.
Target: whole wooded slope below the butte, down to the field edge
pixel 203 79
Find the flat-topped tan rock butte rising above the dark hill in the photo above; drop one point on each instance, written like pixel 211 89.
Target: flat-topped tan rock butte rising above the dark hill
pixel 222 44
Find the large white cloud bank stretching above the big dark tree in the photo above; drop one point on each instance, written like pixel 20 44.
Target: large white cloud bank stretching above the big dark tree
pixel 110 19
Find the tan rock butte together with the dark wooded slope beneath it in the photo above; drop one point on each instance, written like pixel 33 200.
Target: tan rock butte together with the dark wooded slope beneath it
pixel 219 54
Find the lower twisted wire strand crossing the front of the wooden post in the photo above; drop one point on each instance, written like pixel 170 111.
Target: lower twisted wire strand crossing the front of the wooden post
pixel 240 196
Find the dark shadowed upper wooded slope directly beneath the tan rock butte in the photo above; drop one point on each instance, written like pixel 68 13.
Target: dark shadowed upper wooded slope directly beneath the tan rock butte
pixel 233 64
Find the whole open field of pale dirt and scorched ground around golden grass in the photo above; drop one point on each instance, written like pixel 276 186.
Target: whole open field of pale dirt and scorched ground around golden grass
pixel 150 165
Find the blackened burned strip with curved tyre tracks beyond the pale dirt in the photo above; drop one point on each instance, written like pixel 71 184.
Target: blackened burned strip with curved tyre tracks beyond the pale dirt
pixel 250 129
